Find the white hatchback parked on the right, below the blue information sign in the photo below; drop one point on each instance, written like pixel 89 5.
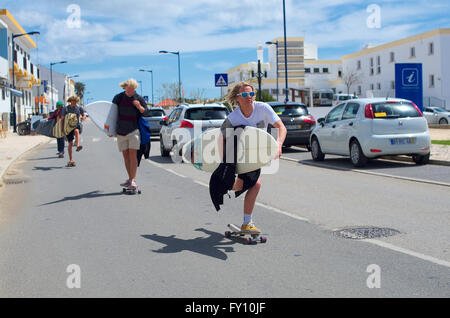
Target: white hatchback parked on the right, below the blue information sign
pixel 370 128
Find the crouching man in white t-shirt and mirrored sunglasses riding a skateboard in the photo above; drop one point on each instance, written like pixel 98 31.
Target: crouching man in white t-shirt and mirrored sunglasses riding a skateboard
pixel 255 114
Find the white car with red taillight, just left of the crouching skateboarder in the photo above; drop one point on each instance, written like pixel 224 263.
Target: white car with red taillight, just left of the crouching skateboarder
pixel 186 117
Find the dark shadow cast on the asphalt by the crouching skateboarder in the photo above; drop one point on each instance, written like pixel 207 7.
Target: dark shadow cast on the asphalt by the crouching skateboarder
pixel 212 246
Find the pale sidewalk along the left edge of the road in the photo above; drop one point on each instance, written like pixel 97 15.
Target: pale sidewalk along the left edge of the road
pixel 13 146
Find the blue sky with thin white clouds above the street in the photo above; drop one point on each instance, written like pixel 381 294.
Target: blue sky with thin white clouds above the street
pixel 107 42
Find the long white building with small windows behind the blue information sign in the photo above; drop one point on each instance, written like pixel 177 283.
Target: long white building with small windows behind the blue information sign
pixel 375 66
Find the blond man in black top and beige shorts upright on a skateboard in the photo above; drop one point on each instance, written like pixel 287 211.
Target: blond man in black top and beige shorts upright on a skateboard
pixel 130 108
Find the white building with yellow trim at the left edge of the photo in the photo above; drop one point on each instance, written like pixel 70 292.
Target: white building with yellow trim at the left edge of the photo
pixel 25 73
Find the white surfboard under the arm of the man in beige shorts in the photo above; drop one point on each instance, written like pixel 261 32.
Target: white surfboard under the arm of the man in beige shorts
pixel 104 115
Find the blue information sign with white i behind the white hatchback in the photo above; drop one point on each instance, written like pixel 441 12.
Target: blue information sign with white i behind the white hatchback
pixel 409 83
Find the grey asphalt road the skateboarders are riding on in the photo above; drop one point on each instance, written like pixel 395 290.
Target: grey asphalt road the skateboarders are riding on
pixel 168 242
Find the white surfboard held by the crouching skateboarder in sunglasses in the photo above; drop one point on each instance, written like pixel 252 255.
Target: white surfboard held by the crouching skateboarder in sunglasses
pixel 255 149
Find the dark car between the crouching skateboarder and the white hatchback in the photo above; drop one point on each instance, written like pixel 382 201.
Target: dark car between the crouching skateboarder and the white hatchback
pixel 298 121
